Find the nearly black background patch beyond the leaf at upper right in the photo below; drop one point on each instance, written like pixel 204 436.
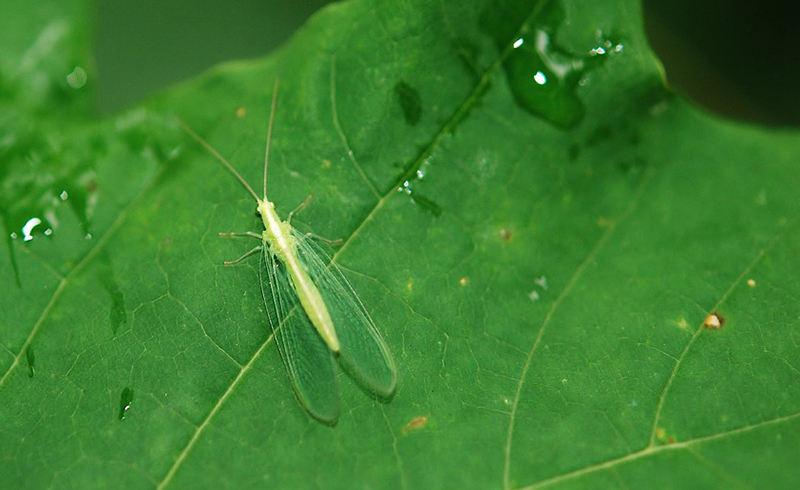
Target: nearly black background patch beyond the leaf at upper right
pixel 736 58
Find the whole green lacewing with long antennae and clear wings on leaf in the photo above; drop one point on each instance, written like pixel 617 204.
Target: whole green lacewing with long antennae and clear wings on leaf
pixel 317 316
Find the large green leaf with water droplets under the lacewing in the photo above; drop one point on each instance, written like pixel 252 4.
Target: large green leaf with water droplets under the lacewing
pixel 541 259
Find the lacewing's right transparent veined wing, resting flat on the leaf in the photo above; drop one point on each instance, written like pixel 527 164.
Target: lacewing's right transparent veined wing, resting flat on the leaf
pixel 363 353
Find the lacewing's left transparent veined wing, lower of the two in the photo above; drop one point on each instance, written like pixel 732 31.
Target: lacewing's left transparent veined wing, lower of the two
pixel 309 362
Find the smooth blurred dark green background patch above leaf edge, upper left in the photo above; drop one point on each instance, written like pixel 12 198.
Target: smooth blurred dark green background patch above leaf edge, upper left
pixel 144 46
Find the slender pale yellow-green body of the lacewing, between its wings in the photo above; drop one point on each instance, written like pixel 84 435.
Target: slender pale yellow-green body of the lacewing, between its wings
pixel 278 237
